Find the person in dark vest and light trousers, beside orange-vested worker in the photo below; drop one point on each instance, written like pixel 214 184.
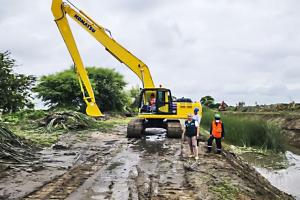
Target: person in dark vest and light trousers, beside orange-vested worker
pixel 191 133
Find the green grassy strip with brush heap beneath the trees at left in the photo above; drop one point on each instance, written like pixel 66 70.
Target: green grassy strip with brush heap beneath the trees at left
pixel 44 128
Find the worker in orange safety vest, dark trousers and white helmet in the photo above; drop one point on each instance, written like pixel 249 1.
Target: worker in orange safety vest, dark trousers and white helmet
pixel 217 132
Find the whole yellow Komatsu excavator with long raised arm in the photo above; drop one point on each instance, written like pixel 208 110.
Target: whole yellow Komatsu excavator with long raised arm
pixel 157 109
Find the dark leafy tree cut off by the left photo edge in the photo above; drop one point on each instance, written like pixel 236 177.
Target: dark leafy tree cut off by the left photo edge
pixel 15 89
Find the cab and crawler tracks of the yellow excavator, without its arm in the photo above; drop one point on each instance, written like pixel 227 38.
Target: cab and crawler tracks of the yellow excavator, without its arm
pixel 157 110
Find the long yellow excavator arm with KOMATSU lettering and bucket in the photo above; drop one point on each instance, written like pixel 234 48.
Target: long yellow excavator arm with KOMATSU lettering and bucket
pixel 59 10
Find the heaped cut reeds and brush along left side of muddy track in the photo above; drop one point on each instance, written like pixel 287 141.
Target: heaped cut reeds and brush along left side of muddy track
pixel 16 149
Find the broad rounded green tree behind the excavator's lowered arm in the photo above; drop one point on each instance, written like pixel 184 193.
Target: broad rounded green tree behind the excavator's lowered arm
pixel 62 90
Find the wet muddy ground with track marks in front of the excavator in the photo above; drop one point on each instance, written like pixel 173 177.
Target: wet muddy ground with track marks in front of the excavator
pixel 110 166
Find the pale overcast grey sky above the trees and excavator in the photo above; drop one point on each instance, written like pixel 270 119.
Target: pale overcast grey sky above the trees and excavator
pixel 234 50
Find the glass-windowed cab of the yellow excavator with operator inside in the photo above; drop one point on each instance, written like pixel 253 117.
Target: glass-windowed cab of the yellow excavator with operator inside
pixel 156 101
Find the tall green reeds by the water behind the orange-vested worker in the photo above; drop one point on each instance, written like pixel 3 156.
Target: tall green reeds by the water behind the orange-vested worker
pixel 248 131
